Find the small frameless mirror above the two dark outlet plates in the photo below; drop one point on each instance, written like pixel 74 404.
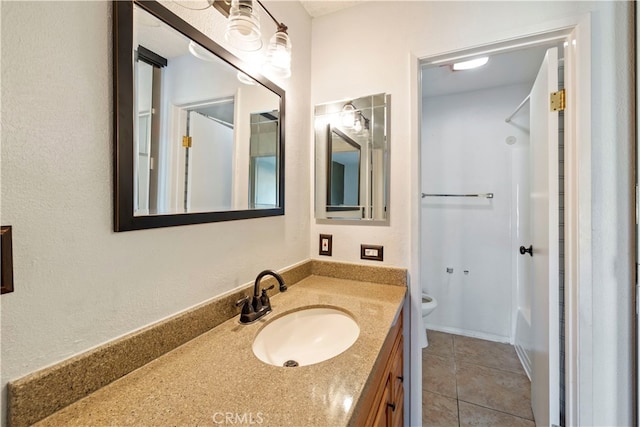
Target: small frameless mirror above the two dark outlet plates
pixel 352 159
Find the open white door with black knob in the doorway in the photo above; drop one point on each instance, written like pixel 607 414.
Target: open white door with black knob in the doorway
pixel 544 239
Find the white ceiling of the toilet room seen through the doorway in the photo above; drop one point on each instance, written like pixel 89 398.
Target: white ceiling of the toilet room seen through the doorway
pixel 510 68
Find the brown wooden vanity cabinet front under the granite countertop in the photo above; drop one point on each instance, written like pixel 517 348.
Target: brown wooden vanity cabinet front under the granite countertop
pixel 383 404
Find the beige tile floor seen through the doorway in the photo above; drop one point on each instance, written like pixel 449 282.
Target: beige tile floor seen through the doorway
pixel 473 382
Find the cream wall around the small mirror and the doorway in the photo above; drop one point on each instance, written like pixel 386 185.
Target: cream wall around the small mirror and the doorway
pixel 387 38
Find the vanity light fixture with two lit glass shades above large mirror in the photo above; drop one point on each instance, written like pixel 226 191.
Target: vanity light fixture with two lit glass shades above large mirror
pixel 243 33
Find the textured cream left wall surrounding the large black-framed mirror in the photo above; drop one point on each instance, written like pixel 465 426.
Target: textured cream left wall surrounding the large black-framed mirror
pixel 77 283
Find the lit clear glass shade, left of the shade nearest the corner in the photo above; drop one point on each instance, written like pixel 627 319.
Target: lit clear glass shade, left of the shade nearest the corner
pixel 243 26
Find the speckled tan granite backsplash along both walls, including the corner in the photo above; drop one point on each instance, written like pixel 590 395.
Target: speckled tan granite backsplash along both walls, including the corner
pixel 40 394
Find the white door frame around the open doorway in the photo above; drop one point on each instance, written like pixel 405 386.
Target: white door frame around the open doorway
pixel 576 32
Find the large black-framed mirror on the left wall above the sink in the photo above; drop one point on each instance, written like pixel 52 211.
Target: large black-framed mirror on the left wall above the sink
pixel 198 138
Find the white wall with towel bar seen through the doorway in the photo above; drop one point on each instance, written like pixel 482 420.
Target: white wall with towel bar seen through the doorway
pixel 464 151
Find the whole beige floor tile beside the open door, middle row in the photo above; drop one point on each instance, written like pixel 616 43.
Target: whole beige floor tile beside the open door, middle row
pixel 504 391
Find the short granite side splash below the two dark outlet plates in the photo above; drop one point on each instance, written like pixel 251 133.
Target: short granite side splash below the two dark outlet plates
pixel 362 273
